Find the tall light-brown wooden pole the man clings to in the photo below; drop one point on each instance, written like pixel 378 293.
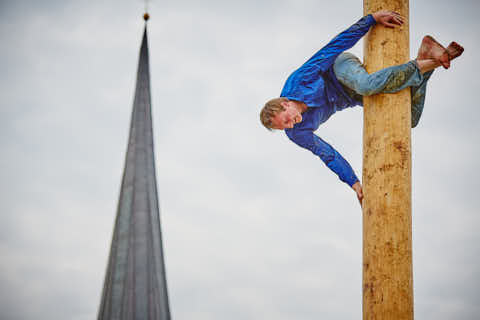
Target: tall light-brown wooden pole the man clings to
pixel 387 222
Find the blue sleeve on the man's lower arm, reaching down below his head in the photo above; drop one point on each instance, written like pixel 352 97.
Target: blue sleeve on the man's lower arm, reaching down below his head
pixel 333 159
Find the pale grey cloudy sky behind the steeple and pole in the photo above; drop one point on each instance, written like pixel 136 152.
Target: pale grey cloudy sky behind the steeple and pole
pixel 254 227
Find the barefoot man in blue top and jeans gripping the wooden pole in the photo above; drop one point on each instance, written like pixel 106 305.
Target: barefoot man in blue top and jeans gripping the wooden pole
pixel 332 80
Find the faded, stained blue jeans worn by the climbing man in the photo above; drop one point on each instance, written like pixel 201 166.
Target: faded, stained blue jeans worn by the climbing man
pixel 358 83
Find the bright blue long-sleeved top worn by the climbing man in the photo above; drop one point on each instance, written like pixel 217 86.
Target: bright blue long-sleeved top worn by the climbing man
pixel 315 84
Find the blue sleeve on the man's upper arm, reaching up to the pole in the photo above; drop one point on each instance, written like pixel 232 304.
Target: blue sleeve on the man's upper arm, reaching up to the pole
pixel 326 56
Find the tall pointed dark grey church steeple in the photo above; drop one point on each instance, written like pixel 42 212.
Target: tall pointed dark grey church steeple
pixel 135 283
